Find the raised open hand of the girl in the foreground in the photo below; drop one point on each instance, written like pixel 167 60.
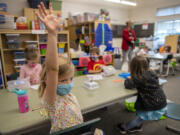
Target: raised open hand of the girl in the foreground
pixel 50 21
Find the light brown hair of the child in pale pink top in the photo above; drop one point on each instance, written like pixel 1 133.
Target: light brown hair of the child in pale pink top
pixel 31 53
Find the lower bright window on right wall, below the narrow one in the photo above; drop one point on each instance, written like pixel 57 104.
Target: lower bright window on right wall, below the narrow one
pixel 165 28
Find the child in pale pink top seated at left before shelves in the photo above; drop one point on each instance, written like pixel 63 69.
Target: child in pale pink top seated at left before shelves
pixel 32 69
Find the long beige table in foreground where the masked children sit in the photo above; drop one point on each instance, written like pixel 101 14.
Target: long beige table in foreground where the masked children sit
pixel 12 122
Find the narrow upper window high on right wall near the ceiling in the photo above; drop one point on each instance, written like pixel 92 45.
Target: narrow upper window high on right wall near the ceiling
pixel 168 11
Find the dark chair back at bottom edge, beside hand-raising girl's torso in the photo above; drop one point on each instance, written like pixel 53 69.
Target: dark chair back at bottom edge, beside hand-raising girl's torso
pixel 86 128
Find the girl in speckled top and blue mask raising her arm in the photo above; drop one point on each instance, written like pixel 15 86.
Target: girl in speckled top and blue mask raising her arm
pixel 57 79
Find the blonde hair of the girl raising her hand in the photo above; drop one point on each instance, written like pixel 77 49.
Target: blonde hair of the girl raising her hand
pixel 65 68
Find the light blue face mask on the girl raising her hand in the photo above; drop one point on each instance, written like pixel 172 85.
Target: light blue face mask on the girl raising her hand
pixel 64 89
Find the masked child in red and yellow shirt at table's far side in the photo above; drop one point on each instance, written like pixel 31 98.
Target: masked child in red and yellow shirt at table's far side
pixel 95 64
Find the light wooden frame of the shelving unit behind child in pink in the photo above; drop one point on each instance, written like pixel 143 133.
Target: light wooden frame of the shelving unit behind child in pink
pixel 25 35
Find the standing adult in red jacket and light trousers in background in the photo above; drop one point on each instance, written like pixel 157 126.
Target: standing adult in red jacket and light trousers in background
pixel 128 38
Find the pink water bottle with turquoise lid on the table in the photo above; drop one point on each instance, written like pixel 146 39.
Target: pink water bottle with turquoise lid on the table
pixel 22 100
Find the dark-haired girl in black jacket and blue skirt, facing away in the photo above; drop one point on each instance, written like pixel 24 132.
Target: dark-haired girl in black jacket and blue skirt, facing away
pixel 151 100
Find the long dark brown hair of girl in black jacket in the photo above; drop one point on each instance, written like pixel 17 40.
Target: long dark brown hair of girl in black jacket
pixel 138 66
